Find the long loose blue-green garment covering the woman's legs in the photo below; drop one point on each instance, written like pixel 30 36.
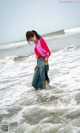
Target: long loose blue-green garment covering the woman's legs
pixel 41 74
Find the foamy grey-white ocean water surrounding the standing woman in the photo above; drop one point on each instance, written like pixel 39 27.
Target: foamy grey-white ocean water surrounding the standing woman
pixel 24 110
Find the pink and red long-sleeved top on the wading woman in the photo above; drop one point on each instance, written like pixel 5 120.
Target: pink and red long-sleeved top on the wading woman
pixel 41 48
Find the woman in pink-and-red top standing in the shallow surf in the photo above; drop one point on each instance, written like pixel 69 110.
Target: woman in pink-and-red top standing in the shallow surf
pixel 42 52
